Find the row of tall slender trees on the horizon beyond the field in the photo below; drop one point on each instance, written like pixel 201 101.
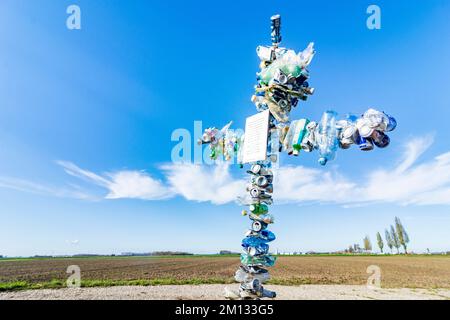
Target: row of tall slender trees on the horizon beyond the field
pixel 394 237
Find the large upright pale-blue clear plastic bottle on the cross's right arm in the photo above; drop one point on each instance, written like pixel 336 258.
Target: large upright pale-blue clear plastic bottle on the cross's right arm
pixel 327 141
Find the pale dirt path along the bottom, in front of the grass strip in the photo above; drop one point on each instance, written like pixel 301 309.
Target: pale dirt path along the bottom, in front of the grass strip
pixel 215 292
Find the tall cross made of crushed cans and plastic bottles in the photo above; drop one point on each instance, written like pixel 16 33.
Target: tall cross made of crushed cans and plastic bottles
pixel 282 84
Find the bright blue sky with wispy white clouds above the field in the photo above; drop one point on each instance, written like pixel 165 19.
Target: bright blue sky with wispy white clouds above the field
pixel 87 116
